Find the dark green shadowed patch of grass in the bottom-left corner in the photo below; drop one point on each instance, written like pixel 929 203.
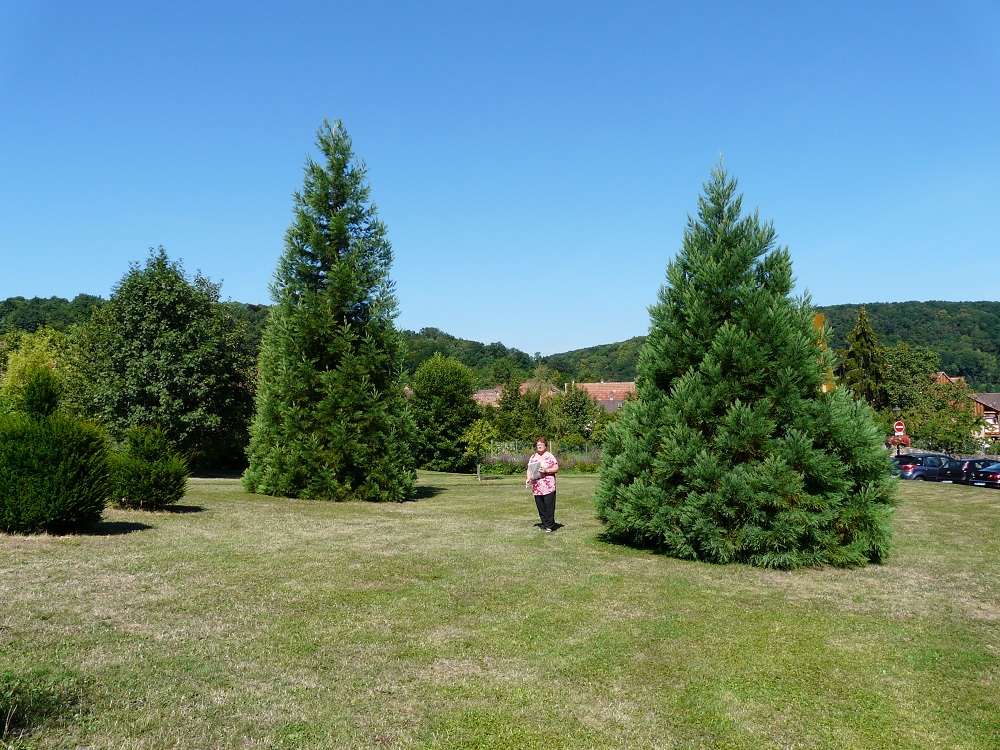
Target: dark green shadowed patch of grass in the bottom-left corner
pixel 36 700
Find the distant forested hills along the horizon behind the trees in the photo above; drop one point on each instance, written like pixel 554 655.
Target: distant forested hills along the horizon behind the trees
pixel 966 336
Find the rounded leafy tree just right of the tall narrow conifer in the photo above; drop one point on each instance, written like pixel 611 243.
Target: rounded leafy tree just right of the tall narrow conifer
pixel 443 410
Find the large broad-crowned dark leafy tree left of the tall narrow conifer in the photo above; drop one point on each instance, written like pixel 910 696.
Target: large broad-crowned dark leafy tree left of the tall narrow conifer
pixel 162 352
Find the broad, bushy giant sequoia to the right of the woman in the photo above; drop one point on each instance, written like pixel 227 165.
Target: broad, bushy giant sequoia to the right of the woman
pixel 733 452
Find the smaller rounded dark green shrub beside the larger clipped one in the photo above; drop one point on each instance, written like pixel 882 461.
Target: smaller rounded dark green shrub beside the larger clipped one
pixel 146 471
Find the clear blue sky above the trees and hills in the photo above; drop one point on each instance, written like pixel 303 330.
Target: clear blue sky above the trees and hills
pixel 535 162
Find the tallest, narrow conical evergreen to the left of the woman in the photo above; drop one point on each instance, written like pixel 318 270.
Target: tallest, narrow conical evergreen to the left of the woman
pixel 331 419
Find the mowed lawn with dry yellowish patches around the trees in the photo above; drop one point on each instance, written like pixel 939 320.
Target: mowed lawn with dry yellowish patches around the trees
pixel 242 621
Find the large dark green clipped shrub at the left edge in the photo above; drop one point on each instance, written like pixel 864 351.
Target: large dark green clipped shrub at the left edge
pixel 53 474
